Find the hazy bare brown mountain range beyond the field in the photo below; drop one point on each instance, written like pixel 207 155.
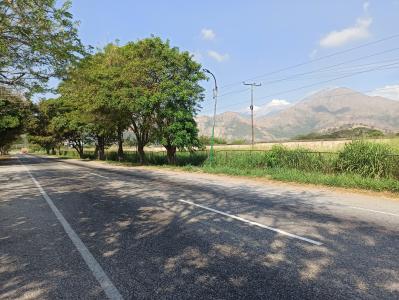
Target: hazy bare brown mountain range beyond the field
pixel 325 111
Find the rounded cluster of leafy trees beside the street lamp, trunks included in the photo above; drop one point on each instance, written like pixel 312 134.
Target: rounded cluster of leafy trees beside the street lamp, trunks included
pixel 146 86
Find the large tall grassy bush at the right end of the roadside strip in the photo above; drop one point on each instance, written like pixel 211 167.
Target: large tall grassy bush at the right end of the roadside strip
pixel 367 159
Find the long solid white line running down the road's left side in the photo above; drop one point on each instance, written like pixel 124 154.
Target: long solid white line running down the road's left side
pixel 110 290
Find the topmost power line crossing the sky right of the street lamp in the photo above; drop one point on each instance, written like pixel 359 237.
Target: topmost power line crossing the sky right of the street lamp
pixel 316 59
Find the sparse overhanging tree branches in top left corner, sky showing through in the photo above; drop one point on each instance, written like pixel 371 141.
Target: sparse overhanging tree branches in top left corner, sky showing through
pixel 38 40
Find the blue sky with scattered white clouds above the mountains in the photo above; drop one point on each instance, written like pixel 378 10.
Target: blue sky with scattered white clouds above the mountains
pixel 341 43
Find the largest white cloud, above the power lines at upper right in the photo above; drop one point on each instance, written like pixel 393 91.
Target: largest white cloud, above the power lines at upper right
pixel 341 37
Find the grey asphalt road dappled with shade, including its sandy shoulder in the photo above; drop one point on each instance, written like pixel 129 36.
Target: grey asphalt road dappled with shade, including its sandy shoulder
pixel 84 230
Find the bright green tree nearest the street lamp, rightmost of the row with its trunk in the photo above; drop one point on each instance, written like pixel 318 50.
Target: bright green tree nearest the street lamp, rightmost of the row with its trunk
pixel 179 100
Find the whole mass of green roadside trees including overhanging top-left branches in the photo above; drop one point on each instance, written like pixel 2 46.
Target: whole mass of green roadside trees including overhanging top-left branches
pixel 147 87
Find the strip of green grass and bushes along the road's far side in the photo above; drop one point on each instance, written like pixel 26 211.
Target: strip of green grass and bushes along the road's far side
pixel 360 164
